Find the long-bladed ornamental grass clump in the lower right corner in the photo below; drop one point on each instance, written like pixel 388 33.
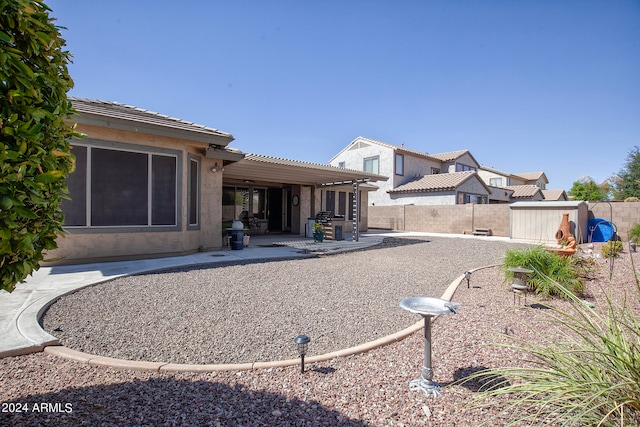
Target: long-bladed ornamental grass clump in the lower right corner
pixel 591 379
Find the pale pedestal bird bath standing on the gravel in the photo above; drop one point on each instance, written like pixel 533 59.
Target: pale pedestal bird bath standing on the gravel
pixel 427 307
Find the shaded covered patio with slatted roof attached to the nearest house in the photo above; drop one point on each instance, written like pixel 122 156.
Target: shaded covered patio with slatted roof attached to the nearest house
pixel 275 195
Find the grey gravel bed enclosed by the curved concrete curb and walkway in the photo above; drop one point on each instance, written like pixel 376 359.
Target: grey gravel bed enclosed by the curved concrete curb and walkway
pixel 251 312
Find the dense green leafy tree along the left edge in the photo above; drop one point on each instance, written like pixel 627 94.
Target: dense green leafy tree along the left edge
pixel 35 156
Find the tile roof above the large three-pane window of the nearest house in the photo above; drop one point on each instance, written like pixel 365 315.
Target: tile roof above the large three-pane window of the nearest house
pixel 115 110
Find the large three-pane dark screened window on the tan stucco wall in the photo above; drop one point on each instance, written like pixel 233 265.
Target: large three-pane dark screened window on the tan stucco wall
pixel 117 188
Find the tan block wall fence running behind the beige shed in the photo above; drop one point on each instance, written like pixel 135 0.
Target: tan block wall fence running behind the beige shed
pixel 460 219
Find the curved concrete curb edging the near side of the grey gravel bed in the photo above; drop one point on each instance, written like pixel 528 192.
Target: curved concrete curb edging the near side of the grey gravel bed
pixel 135 365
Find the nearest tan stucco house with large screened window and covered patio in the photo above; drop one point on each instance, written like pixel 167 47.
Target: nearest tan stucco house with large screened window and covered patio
pixel 147 184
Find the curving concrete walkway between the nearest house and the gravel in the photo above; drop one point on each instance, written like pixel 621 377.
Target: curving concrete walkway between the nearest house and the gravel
pixel 20 311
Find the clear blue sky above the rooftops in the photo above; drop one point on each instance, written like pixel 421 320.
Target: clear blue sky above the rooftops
pixel 526 86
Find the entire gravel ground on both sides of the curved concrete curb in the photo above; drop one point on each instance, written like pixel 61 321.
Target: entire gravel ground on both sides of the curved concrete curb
pixel 370 389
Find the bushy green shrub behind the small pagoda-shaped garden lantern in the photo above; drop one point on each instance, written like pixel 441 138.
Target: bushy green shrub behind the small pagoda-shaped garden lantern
pixel 552 274
